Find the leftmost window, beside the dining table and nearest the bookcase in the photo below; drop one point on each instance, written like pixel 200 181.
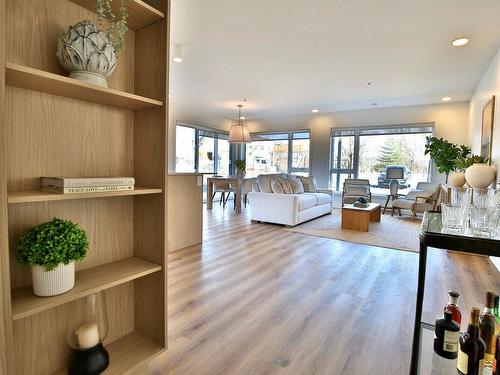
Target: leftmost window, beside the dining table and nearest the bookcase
pixel 201 150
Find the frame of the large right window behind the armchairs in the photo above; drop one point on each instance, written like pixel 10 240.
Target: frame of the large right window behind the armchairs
pixel 357 132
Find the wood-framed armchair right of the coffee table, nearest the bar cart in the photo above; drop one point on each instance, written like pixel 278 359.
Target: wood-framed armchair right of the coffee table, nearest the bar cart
pixel 424 198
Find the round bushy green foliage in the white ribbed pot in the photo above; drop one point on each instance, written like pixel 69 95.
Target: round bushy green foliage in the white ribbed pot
pixel 49 244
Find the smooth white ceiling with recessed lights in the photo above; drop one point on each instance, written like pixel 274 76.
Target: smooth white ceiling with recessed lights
pixel 289 56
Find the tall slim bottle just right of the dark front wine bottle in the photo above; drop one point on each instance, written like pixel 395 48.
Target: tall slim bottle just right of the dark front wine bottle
pixel 487 327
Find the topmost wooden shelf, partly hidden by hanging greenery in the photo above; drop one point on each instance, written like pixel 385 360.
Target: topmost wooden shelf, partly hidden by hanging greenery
pixel 140 14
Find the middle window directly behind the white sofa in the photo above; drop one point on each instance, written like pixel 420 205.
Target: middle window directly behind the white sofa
pixel 278 152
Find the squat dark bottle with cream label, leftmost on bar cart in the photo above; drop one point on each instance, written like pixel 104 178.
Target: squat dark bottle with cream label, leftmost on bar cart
pixel 447 333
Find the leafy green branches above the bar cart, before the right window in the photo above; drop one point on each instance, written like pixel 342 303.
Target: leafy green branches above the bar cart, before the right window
pixel 445 154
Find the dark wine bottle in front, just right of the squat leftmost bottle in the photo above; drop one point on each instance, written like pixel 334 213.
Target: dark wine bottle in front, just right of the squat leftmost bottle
pixel 471 348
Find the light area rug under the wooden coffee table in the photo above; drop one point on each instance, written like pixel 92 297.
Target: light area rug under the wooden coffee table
pixel 398 232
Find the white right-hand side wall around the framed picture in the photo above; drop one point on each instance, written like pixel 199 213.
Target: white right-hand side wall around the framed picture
pixel 488 86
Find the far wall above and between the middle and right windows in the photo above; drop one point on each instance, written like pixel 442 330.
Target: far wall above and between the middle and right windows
pixel 451 123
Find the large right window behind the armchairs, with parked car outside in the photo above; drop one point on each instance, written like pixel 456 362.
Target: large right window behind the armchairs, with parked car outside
pixel 366 152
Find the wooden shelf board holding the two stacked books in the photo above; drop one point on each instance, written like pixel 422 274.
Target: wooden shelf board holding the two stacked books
pixel 42 196
